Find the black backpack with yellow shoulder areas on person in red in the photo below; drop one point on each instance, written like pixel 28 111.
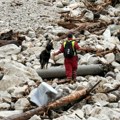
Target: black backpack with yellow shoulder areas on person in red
pixel 69 49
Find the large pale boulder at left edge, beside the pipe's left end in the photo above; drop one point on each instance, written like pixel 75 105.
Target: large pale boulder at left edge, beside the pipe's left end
pixel 16 73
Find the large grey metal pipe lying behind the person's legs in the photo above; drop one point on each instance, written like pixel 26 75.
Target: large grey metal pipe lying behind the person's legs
pixel 58 72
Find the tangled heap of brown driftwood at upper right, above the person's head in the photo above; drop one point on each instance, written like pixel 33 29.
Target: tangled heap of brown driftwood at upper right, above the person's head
pixel 69 22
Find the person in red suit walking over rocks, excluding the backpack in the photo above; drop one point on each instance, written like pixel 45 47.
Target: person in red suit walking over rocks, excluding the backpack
pixel 71 64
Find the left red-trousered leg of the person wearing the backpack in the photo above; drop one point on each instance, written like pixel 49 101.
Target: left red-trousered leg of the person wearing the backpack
pixel 68 69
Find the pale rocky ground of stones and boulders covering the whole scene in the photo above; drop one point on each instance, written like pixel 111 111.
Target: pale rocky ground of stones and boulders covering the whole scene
pixel 42 20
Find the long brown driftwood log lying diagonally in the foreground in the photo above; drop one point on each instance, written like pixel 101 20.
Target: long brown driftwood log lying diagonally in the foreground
pixel 72 98
